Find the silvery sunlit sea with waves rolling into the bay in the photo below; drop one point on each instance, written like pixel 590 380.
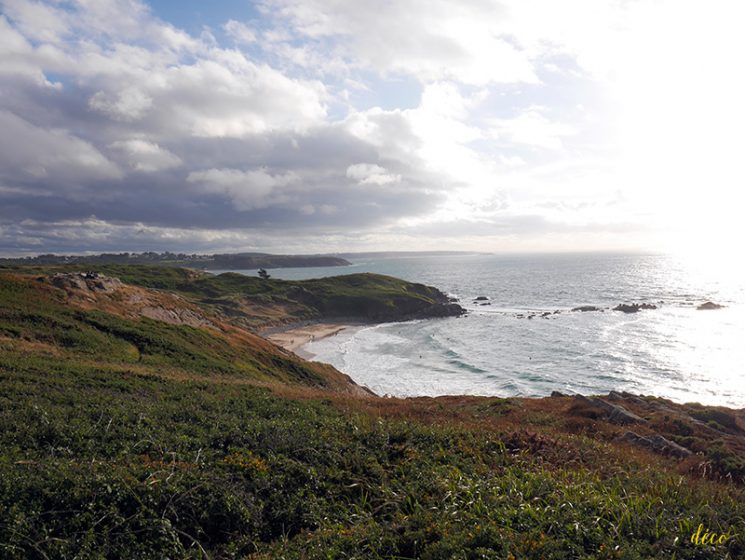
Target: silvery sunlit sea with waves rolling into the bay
pixel 675 351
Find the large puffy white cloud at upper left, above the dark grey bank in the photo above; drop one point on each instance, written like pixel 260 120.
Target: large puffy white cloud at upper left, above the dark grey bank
pixel 137 67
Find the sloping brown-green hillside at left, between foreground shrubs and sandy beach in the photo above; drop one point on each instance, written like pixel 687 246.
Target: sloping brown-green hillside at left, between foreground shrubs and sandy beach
pixel 41 325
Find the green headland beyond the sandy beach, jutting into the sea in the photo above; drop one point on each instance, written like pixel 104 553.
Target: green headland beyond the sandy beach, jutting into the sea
pixel 254 302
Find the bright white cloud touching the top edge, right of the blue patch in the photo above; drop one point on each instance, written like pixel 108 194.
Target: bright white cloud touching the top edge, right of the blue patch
pixel 435 40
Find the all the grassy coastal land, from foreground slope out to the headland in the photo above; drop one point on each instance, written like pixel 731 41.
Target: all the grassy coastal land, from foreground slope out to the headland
pixel 142 417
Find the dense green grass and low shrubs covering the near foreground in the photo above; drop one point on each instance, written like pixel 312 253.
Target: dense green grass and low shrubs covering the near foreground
pixel 105 464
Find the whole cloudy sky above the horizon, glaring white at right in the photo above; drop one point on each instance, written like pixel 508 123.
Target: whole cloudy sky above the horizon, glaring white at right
pixel 306 126
